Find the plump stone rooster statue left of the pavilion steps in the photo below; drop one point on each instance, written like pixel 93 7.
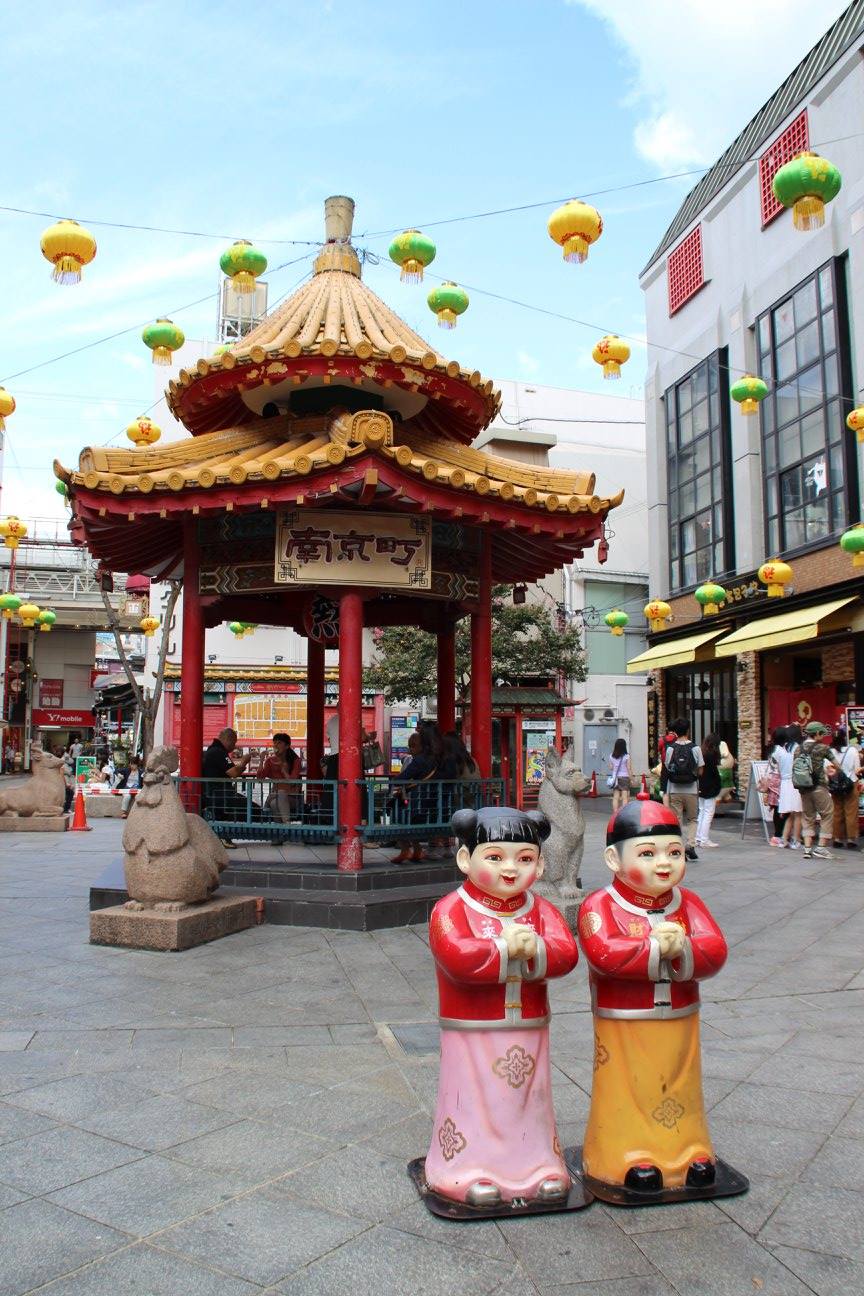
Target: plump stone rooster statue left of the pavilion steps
pixel 172 859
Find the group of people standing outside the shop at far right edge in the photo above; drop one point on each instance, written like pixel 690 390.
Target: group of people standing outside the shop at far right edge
pixel 813 790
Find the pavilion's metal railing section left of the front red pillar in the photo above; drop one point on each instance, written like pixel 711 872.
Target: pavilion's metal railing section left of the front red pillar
pixel 251 809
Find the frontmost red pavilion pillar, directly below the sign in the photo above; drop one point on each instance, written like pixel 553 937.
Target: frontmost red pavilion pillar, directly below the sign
pixel 350 853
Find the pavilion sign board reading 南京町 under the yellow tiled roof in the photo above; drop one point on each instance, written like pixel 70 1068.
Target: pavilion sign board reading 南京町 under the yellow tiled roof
pixel 350 549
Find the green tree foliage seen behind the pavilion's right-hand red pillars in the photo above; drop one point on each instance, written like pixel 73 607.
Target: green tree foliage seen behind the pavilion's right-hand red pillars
pixel 527 642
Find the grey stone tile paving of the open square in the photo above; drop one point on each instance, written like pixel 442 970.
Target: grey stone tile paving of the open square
pixel 238 1119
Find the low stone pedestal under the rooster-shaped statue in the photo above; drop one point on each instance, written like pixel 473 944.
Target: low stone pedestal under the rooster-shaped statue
pixel 155 930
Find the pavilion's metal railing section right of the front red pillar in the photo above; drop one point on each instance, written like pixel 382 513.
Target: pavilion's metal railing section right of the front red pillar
pixel 398 812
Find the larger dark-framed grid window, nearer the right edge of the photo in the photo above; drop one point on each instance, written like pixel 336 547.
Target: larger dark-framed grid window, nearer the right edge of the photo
pixel 804 435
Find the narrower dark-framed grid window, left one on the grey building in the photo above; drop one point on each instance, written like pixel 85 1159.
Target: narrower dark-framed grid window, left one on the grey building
pixel 698 445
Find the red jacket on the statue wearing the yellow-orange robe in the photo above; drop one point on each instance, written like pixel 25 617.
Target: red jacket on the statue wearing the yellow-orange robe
pixel 629 978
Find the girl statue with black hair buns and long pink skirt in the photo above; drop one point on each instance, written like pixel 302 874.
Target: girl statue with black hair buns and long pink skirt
pixel 495 945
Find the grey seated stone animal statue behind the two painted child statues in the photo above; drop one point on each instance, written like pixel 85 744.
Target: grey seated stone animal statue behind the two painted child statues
pixel 559 799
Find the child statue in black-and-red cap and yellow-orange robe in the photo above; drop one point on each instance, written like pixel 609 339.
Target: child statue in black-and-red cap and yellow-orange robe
pixel 650 944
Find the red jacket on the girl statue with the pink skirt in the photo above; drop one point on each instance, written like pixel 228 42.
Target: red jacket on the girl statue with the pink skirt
pixel 476 980
